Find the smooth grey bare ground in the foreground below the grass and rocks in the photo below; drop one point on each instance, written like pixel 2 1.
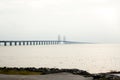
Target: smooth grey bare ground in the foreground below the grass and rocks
pixel 56 76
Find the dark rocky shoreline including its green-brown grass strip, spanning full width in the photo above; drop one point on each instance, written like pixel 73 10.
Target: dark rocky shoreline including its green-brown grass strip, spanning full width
pixel 114 75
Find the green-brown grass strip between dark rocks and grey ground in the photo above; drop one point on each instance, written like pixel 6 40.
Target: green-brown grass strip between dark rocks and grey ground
pixel 21 72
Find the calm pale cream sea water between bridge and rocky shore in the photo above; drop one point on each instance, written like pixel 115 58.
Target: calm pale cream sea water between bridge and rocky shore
pixel 91 57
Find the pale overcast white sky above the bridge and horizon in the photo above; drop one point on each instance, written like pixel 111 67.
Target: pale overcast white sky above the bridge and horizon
pixel 78 20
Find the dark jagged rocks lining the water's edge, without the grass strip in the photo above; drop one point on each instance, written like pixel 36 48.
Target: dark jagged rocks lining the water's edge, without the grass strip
pixel 46 71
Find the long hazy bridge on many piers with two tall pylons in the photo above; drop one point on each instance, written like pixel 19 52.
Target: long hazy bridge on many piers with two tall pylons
pixel 35 42
